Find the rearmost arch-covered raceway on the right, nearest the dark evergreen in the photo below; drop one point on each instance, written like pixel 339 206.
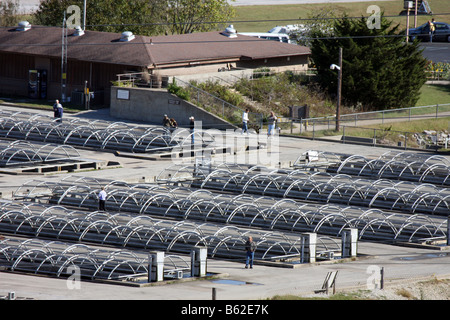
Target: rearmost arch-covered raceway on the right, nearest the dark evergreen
pixel 395 165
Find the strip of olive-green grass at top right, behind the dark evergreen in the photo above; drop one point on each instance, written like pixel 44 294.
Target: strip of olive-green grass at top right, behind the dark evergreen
pixel 264 18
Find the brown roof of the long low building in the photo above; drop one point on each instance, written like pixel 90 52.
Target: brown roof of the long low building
pixel 143 51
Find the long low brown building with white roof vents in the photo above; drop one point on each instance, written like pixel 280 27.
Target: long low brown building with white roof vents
pixel 31 58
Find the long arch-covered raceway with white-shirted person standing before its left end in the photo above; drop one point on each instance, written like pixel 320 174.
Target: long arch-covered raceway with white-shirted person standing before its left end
pixel 243 210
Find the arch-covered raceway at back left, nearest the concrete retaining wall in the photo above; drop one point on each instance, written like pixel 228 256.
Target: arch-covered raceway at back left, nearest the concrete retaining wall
pixel 103 135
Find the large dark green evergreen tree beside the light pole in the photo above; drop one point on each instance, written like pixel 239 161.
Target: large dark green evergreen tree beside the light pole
pixel 380 70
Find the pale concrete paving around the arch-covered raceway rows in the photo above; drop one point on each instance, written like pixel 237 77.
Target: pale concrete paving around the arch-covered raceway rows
pixel 400 263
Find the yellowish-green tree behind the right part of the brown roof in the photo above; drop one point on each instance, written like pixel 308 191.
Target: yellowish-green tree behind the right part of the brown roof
pixel 187 16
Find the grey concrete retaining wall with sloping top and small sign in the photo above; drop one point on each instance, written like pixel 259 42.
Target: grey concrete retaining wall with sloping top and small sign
pixel 150 105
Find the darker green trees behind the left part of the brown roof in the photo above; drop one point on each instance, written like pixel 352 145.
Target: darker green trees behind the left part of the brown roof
pixel 137 16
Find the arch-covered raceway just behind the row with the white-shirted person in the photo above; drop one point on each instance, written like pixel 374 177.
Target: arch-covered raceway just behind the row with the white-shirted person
pixel 323 187
